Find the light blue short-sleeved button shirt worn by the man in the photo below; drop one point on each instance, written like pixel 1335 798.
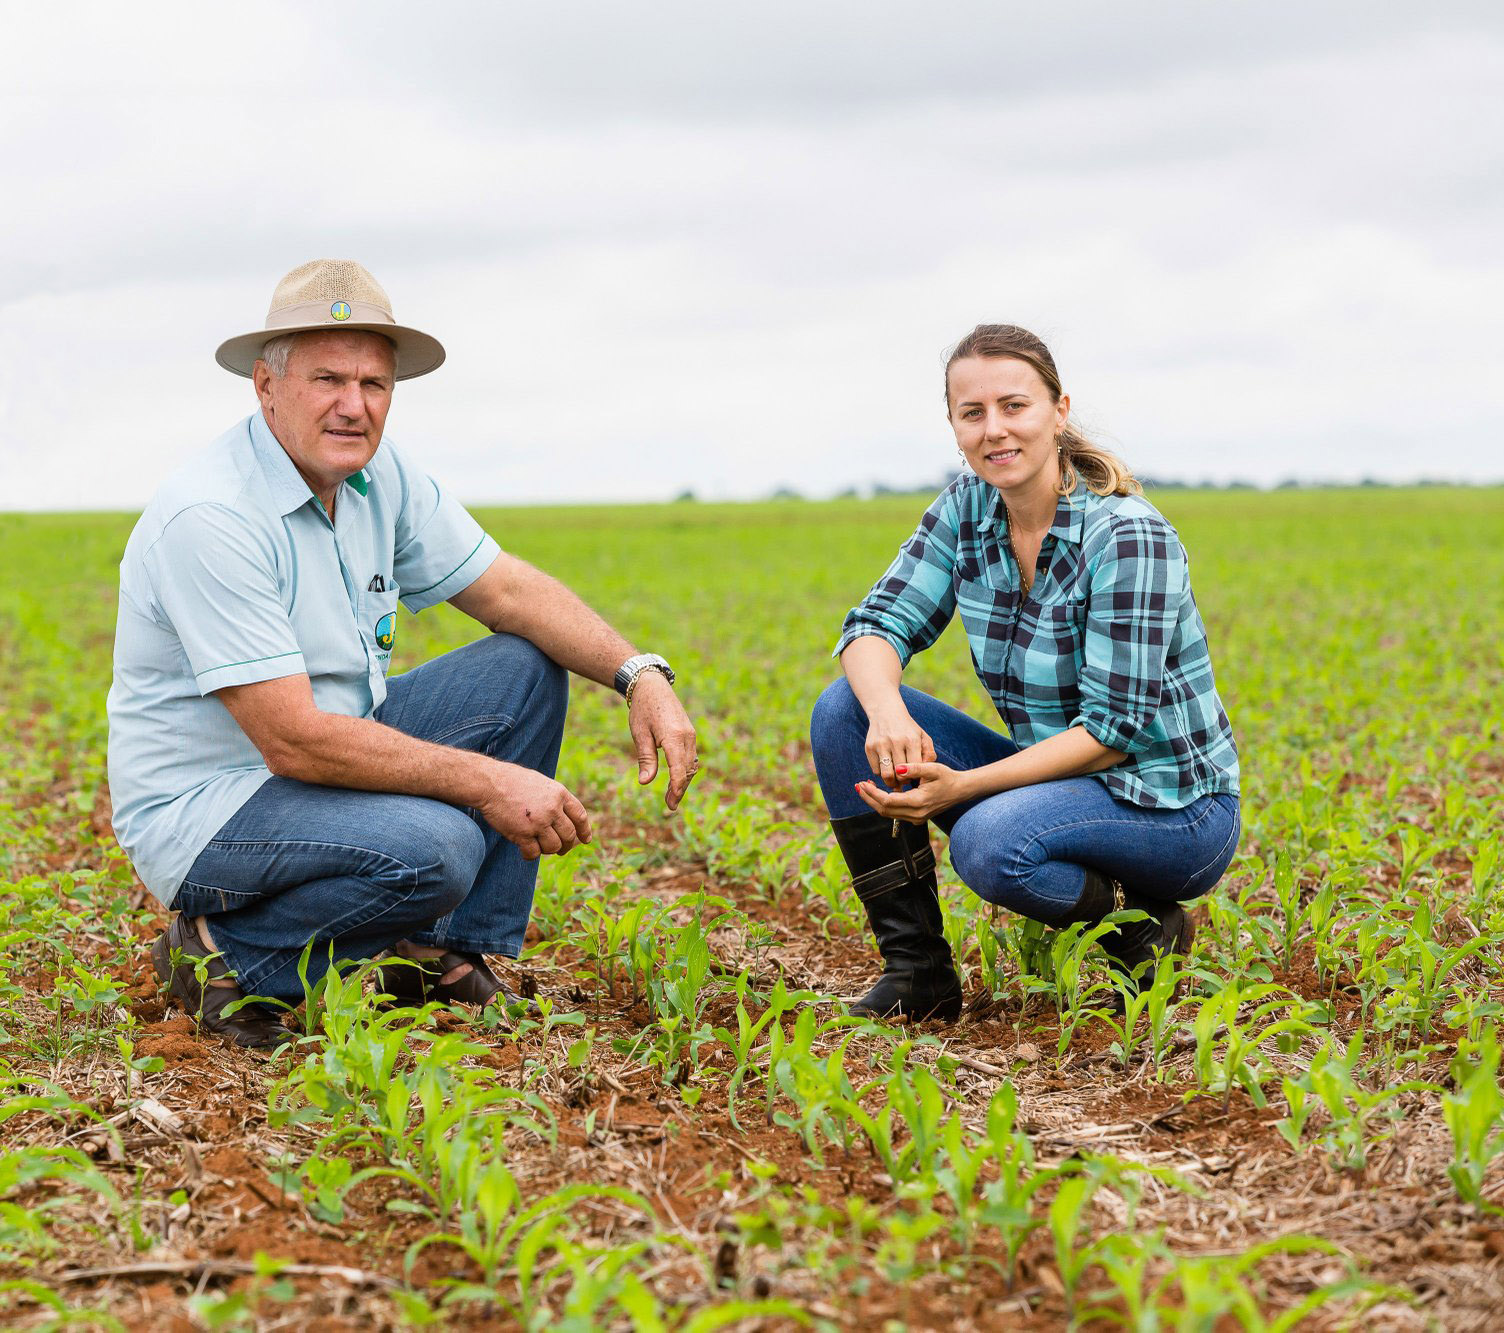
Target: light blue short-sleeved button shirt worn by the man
pixel 235 574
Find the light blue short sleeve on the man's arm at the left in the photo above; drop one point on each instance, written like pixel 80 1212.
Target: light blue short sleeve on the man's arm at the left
pixel 214 581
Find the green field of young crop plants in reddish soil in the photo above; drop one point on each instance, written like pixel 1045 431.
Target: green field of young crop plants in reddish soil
pixel 694 1134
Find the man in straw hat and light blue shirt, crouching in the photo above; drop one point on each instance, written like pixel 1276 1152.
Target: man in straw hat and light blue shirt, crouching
pixel 270 783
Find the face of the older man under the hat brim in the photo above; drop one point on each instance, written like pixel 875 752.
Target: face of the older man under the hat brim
pixel 330 408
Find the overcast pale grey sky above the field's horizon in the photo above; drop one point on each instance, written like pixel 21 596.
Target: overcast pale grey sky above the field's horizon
pixel 687 246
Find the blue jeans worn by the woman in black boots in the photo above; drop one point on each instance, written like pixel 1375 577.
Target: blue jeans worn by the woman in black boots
pixel 1028 849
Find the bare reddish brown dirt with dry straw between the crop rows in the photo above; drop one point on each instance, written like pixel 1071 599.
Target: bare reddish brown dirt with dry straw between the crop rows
pixel 617 1125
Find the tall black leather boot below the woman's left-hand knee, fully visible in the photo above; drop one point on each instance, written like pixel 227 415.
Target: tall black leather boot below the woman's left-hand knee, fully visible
pixel 896 879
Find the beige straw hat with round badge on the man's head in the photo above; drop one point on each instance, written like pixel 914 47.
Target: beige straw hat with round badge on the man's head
pixel 333 294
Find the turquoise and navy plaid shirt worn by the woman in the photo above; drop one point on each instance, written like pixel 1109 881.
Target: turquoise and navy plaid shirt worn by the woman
pixel 1109 640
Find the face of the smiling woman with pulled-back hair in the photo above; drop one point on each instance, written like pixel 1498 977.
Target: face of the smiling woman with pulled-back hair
pixel 1007 422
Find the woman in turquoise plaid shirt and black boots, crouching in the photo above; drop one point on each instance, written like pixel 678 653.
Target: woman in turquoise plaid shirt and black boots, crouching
pixel 1120 786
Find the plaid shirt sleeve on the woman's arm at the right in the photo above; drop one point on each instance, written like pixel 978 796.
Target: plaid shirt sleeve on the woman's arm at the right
pixel 1136 591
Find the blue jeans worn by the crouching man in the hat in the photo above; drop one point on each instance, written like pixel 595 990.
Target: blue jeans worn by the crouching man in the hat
pixel 363 870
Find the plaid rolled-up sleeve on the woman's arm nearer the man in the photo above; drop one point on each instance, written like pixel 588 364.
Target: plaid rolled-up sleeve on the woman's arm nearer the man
pixel 915 600
